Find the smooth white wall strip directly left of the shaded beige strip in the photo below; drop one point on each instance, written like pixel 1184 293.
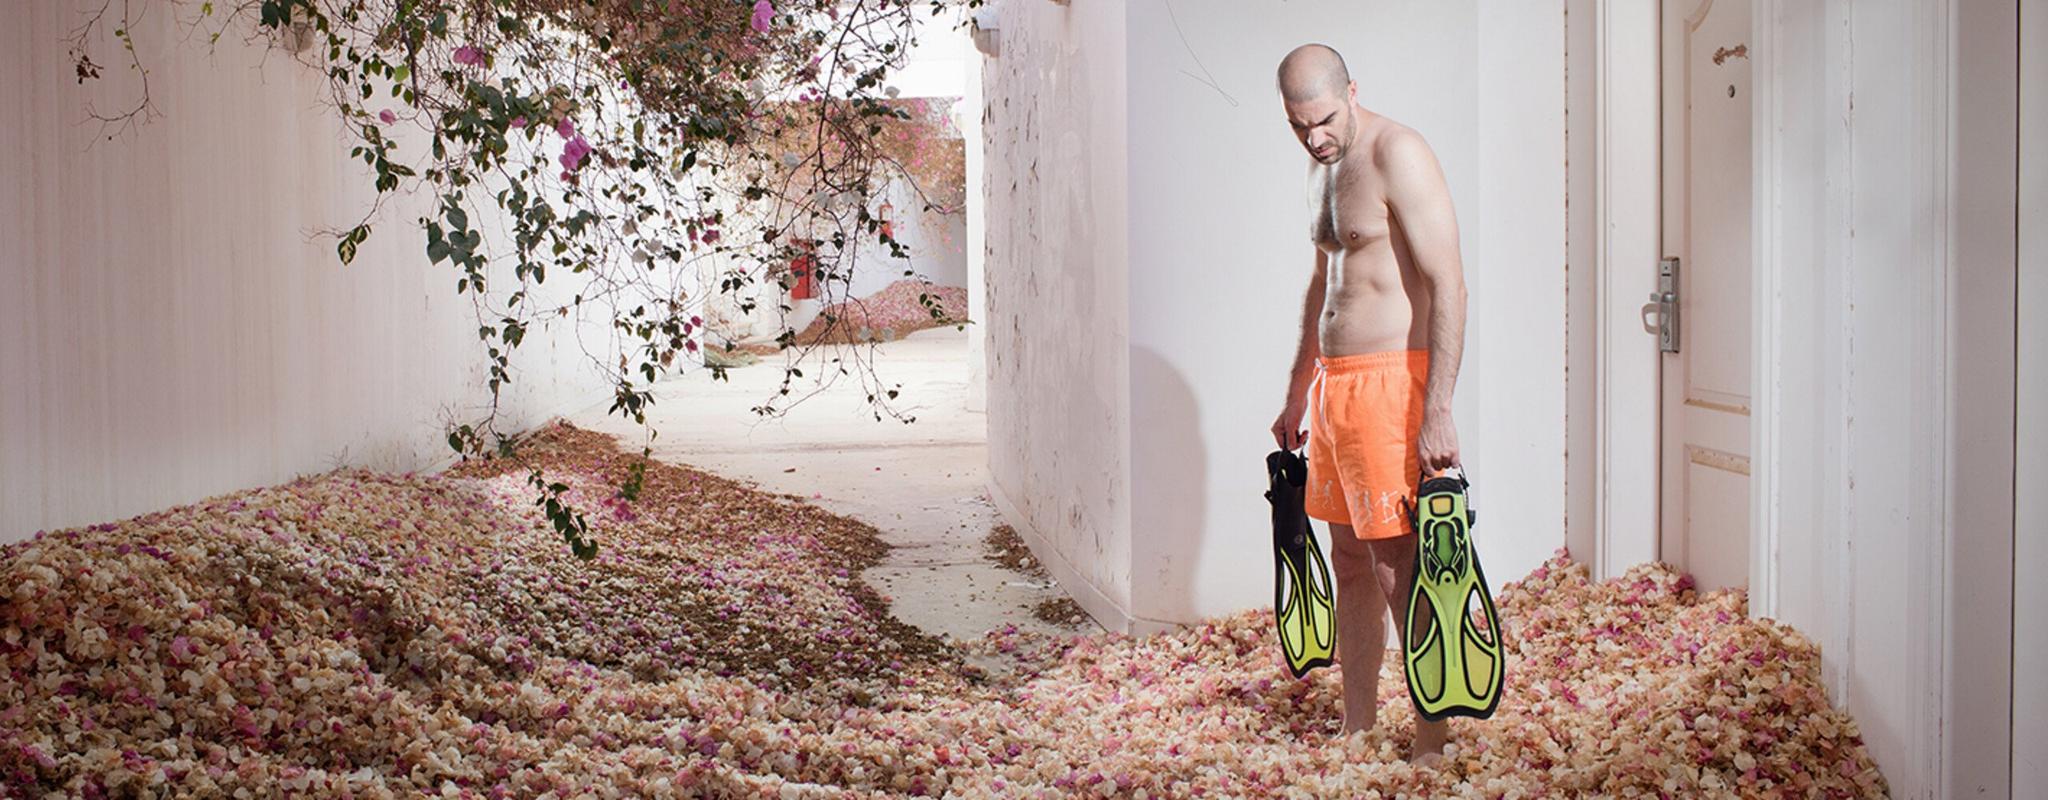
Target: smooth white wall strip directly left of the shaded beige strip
pixel 1895 388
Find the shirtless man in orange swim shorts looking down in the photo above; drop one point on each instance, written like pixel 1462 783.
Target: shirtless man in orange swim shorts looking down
pixel 1383 328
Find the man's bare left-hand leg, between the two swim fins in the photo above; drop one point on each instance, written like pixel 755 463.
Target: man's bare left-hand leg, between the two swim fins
pixel 1361 627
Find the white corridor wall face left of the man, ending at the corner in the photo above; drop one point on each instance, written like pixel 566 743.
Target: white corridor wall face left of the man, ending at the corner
pixel 1058 294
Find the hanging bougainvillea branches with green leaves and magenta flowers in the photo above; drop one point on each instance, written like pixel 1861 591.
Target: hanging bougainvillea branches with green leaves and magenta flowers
pixel 628 142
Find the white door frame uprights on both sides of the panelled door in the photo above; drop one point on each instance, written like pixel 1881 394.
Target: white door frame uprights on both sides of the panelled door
pixel 1627 222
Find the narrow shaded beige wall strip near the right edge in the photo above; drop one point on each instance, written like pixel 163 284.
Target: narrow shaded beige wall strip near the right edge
pixel 1977 627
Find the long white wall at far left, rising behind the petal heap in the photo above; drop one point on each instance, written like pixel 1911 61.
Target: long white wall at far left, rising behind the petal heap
pixel 173 332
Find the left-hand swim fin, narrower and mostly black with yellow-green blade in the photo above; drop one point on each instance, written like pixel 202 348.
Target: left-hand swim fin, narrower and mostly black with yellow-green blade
pixel 1304 605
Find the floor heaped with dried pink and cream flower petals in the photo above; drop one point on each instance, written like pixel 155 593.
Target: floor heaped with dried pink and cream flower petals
pixel 390 635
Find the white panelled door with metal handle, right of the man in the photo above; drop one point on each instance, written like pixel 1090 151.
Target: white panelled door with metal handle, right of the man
pixel 1705 396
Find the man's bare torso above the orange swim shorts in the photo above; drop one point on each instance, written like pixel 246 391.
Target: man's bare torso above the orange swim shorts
pixel 1373 298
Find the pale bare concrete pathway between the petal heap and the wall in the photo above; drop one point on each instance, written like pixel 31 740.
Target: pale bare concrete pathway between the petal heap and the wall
pixel 921 484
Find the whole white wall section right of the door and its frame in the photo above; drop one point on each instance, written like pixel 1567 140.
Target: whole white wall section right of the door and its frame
pixel 1897 392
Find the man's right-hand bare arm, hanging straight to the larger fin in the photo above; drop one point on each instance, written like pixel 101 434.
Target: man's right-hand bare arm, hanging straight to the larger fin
pixel 1420 204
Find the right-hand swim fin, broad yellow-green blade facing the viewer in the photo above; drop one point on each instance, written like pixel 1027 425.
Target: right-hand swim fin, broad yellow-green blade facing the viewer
pixel 1455 664
